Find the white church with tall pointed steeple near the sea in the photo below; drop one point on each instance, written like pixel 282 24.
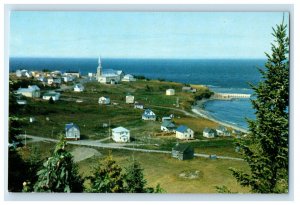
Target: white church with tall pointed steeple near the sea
pixel 108 76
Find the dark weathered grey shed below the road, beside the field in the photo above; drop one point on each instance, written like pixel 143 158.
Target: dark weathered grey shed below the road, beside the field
pixel 182 151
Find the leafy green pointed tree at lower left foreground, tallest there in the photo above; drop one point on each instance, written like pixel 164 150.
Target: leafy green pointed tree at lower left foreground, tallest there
pixel 59 173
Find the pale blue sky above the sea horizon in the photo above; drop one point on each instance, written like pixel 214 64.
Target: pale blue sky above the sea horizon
pixel 142 34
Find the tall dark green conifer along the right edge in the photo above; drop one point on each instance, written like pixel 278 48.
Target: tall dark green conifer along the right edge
pixel 266 147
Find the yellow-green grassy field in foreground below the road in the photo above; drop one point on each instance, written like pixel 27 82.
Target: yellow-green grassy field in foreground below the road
pixel 162 169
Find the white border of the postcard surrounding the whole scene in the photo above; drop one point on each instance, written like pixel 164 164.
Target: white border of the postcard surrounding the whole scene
pixel 118 6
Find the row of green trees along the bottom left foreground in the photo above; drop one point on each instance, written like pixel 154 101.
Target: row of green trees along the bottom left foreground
pixel 59 173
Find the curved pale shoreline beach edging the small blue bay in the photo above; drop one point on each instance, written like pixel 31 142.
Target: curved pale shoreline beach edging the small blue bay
pixel 200 111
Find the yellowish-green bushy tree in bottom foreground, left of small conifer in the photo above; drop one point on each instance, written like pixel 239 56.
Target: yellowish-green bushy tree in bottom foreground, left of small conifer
pixel 107 177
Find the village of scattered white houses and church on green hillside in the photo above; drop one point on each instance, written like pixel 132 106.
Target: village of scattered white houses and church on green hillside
pixel 113 110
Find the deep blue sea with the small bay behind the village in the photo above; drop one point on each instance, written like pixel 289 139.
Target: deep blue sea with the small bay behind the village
pixel 221 75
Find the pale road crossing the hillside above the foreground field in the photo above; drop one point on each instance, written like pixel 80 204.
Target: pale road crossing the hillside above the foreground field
pixel 98 144
